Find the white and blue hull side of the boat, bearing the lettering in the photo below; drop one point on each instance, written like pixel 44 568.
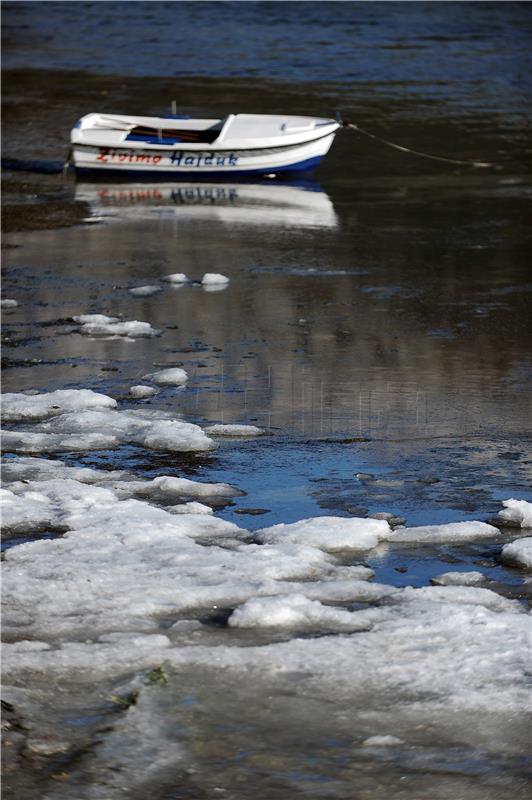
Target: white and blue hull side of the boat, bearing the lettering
pixel 208 162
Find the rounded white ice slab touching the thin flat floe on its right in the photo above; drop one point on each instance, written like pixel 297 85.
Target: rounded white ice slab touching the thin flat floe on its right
pixel 331 534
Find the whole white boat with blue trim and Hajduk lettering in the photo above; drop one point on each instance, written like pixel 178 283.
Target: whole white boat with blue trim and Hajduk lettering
pixel 240 144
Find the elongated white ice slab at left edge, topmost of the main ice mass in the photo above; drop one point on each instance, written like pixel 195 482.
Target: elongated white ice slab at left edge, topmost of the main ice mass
pixel 19 406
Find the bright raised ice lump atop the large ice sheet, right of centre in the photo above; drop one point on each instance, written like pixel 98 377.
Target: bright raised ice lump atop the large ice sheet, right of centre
pixel 296 611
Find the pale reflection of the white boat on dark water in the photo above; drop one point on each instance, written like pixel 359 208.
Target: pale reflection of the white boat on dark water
pixel 301 204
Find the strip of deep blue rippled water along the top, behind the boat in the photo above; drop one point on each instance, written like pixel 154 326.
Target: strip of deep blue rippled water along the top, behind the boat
pixel 474 55
